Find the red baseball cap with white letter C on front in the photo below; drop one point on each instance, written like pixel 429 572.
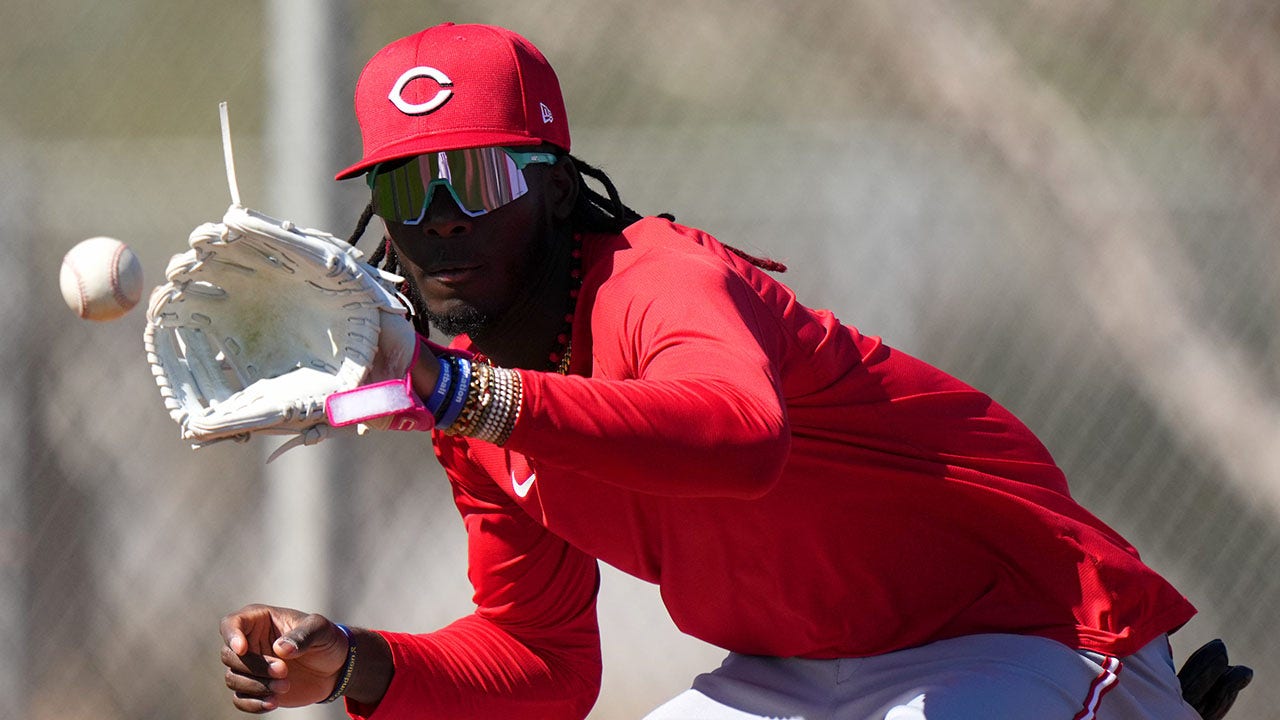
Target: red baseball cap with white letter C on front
pixel 456 86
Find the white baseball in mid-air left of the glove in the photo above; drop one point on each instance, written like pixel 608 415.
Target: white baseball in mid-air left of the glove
pixel 102 279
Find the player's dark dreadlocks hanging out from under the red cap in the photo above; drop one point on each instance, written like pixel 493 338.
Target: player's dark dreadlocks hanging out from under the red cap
pixel 593 213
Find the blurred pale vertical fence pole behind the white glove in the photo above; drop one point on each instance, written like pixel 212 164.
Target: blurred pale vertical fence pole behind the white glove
pixel 305 66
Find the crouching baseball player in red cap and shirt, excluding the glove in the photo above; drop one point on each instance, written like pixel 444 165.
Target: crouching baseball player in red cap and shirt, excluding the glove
pixel 867 537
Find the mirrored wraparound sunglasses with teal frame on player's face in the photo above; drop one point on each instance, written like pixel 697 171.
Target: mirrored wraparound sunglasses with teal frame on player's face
pixel 481 181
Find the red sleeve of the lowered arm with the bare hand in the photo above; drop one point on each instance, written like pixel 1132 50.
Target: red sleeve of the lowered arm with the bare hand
pixel 532 650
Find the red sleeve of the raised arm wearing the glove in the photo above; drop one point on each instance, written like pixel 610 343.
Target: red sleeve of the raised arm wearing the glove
pixel 685 398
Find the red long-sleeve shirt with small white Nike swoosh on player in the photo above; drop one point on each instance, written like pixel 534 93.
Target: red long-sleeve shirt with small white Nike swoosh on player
pixel 794 487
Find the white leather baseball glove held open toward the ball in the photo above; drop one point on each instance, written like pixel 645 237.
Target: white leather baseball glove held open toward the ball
pixel 262 321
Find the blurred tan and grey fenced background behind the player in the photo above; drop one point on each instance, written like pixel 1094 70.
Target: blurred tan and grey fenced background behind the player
pixel 1071 206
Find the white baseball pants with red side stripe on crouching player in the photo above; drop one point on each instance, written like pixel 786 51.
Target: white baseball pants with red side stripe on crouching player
pixel 991 677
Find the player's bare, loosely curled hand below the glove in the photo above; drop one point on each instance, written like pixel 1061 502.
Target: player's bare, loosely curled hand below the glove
pixel 281 658
